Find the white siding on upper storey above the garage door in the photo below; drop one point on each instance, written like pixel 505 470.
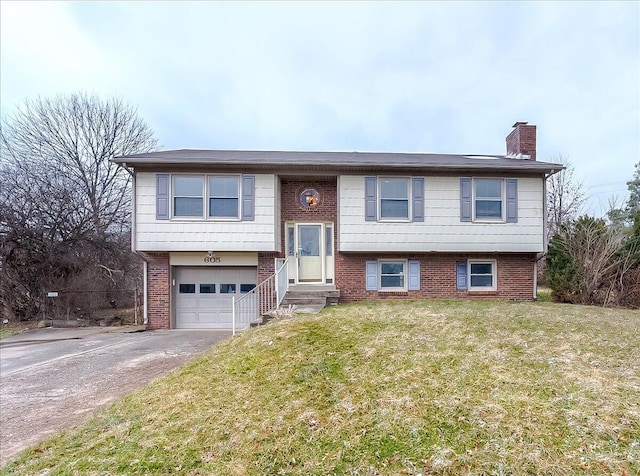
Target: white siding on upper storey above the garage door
pixel 190 234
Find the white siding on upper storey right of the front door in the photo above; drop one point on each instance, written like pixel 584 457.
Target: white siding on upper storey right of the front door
pixel 442 230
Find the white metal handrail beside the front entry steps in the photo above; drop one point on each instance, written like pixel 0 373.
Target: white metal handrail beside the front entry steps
pixel 265 297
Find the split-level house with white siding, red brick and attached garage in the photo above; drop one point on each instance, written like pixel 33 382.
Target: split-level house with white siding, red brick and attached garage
pixel 212 224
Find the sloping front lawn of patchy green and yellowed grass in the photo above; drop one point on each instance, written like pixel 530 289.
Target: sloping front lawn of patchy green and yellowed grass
pixel 425 387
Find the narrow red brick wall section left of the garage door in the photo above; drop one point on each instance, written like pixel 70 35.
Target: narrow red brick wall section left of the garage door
pixel 158 290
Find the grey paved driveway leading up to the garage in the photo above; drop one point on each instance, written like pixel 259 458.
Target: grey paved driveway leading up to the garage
pixel 51 379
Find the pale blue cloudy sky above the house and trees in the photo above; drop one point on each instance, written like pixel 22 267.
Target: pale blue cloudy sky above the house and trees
pixel 441 77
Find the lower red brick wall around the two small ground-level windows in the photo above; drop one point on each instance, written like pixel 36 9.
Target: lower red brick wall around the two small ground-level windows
pixel 438 277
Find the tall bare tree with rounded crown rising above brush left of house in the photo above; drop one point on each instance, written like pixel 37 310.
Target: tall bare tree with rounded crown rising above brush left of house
pixel 74 137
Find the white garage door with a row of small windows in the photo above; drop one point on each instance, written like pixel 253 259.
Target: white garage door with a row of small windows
pixel 203 295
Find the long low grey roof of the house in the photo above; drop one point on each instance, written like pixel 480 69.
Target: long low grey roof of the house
pixel 336 161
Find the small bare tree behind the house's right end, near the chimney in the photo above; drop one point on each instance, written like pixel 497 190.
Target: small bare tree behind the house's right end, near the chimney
pixel 565 196
